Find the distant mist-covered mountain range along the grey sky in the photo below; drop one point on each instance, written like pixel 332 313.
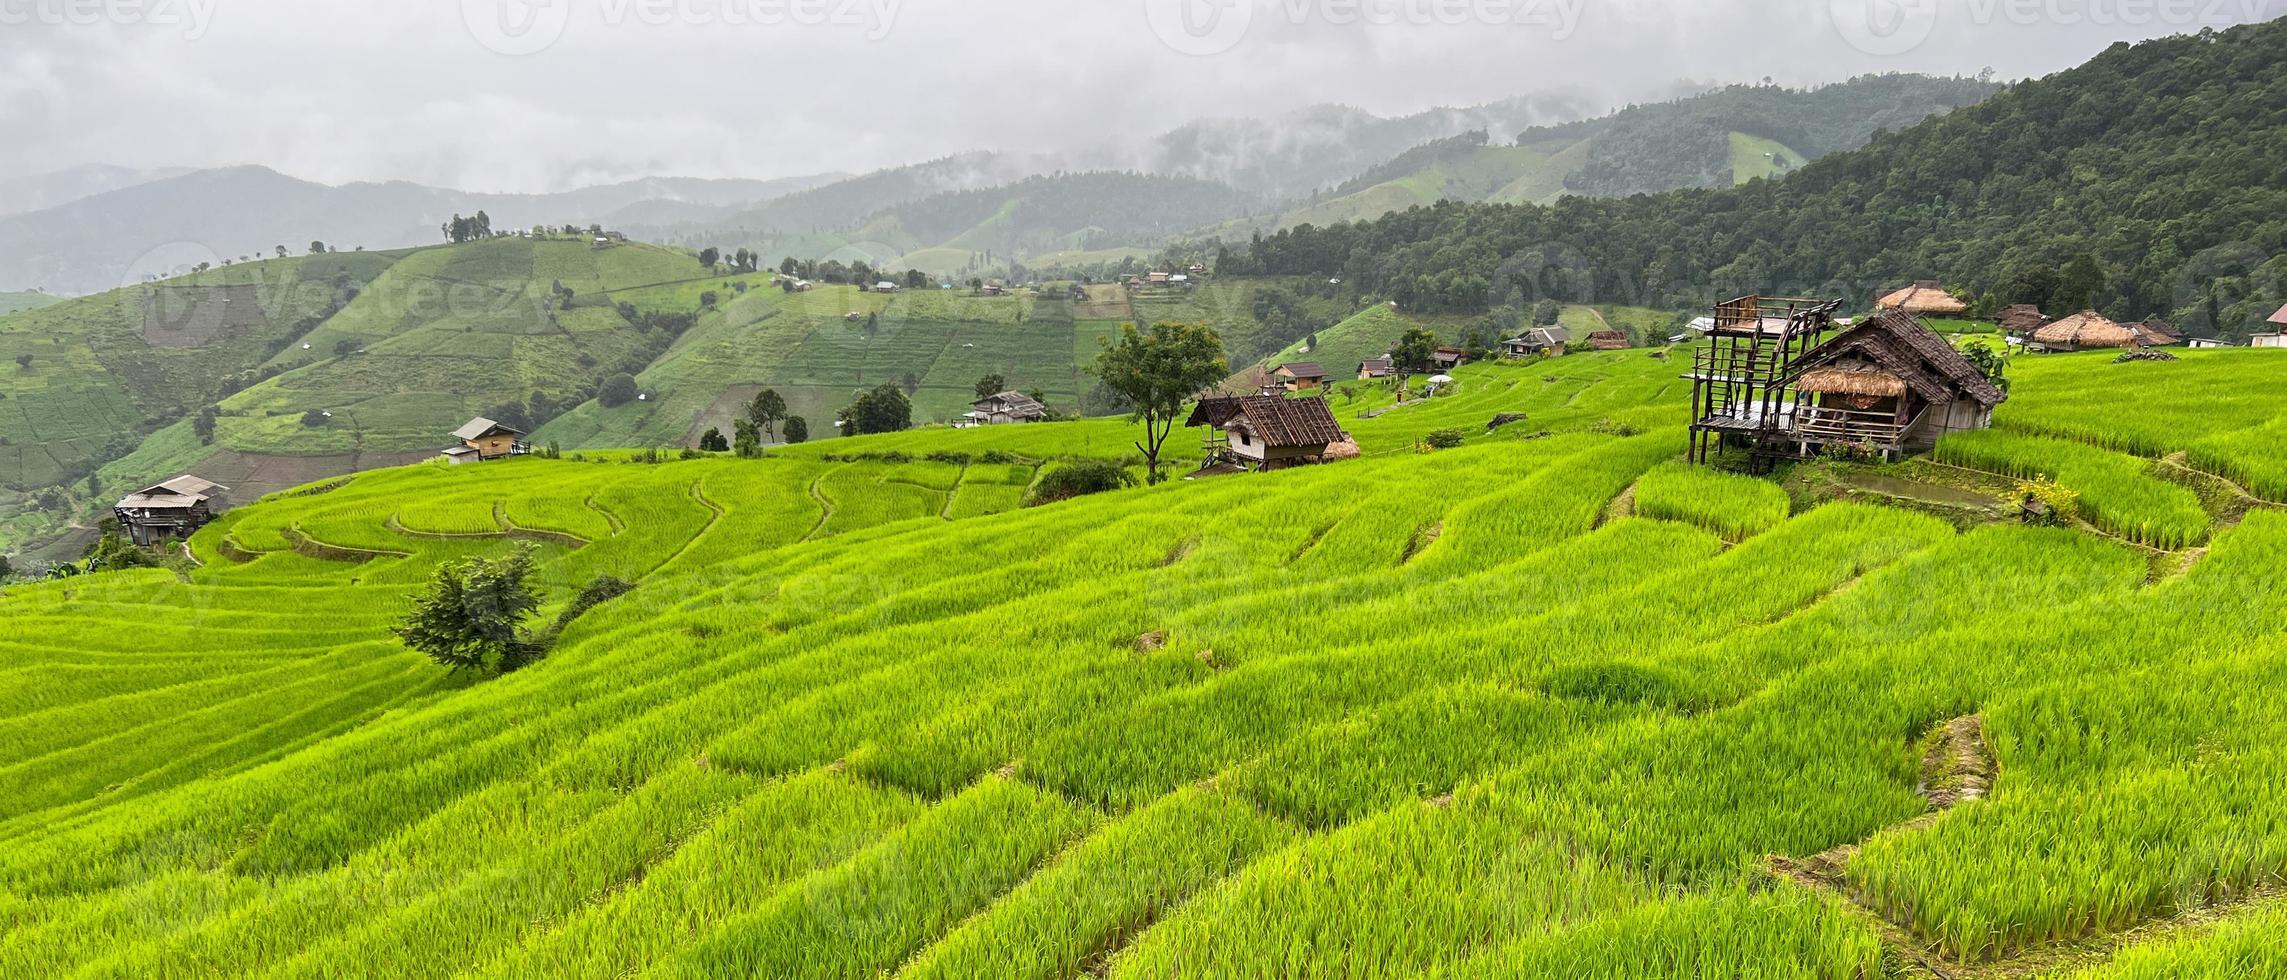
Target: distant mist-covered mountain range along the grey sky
pixel 104 227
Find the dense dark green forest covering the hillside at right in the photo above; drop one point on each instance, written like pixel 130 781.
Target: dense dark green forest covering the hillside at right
pixel 2155 161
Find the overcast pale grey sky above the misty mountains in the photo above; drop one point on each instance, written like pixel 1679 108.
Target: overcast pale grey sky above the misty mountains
pixel 548 95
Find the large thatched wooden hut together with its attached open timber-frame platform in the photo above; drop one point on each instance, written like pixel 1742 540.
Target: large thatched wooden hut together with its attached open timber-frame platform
pixel 1774 383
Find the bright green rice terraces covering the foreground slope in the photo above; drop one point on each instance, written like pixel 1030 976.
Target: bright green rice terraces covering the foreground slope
pixel 1545 705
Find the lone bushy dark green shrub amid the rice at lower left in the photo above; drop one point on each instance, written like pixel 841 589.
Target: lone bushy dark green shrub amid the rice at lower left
pixel 475 611
